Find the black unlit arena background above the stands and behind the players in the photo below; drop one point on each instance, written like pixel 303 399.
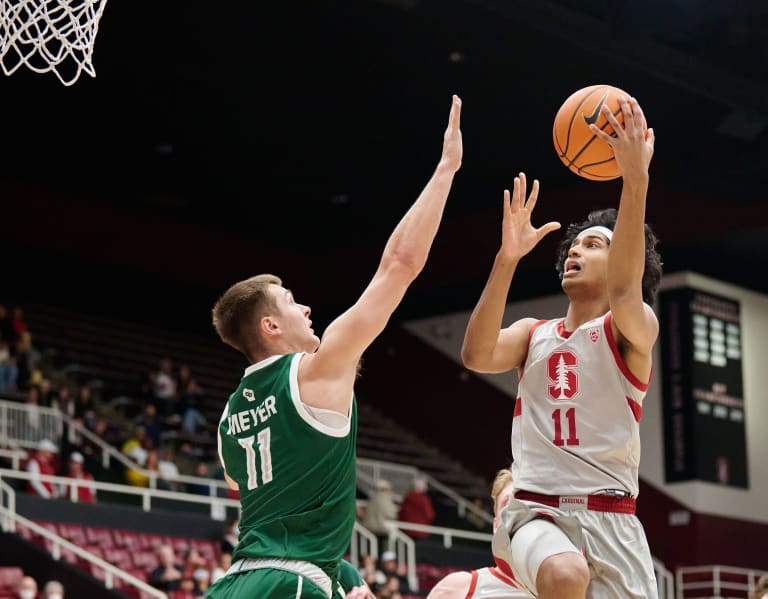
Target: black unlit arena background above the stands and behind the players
pixel 220 140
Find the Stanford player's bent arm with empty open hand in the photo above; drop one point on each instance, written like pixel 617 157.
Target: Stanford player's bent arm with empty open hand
pixel 486 348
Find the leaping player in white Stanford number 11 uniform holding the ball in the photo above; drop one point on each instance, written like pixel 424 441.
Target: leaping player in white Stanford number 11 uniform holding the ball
pixel 570 531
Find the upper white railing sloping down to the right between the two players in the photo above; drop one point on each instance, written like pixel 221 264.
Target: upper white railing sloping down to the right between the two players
pixel 402 478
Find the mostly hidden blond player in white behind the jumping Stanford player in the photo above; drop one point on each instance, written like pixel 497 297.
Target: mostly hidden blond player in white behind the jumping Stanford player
pixel 485 583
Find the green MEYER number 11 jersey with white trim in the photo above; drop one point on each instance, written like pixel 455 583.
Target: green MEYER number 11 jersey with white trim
pixel 294 465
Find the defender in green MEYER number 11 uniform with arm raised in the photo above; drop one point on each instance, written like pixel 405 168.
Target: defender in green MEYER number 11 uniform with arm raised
pixel 287 434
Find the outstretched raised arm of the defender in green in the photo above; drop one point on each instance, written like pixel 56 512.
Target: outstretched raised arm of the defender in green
pixel 404 257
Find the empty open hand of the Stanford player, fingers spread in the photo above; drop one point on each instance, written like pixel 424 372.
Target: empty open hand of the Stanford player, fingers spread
pixel 518 235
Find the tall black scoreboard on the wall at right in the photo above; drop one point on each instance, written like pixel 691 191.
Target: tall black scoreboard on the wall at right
pixel 703 388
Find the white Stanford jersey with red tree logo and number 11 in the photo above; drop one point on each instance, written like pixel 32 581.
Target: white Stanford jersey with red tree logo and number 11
pixel 576 424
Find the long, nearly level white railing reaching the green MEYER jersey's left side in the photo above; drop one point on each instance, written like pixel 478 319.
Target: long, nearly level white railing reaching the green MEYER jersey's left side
pixel 217 505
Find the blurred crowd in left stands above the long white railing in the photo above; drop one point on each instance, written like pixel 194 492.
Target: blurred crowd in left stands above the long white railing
pixel 160 438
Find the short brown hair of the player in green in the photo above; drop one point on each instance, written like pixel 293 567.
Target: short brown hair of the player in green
pixel 236 310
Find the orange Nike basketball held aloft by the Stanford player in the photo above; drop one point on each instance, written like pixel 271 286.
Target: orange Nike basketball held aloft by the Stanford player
pixel 580 149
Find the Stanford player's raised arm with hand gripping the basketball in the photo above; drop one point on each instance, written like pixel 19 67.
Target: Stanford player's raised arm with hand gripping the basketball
pixel 633 147
